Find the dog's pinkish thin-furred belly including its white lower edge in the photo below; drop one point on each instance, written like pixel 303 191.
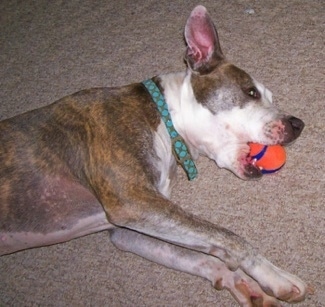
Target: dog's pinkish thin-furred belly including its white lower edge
pixel 58 210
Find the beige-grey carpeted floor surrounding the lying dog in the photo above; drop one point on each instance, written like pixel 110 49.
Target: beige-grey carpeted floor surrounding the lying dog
pixel 49 49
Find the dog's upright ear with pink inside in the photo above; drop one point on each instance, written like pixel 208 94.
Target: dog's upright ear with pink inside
pixel 203 52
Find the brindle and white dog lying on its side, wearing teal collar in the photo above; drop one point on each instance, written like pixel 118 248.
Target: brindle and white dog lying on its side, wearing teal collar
pixel 105 159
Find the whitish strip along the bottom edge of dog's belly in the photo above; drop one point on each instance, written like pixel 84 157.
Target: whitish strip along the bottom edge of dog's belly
pixel 15 241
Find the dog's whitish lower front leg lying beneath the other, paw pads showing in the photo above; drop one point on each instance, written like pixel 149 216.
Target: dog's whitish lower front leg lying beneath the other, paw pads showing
pixel 244 289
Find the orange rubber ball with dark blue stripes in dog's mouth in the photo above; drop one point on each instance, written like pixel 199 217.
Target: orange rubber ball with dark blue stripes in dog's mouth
pixel 269 159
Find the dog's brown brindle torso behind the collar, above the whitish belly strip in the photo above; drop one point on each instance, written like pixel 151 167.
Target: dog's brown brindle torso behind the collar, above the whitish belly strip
pixel 74 139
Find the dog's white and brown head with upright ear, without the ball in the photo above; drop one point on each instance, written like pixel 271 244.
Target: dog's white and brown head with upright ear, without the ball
pixel 224 108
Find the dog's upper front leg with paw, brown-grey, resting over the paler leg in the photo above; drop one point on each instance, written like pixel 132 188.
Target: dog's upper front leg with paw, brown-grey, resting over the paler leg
pixel 153 215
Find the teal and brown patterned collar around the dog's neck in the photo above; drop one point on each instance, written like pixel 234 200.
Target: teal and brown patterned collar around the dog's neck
pixel 180 149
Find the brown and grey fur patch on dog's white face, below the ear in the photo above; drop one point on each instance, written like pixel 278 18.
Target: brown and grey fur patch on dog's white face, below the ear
pixel 223 88
